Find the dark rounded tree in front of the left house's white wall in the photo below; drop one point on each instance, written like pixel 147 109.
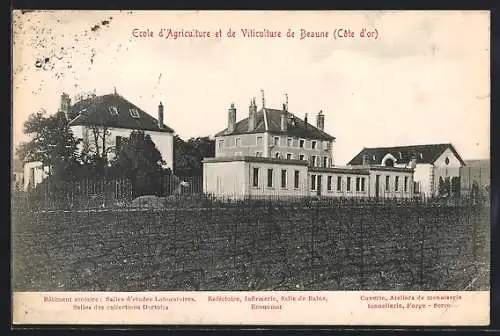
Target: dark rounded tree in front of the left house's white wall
pixel 140 161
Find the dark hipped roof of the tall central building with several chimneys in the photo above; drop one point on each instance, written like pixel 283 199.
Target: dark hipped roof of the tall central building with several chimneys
pixel 296 127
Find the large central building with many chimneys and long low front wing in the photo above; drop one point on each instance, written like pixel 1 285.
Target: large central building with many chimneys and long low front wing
pixel 275 153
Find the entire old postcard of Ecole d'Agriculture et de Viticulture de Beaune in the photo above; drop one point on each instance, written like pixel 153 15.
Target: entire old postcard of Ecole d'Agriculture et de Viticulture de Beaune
pixel 251 167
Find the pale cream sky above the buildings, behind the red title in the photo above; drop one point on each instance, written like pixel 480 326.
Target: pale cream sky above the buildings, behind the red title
pixel 424 78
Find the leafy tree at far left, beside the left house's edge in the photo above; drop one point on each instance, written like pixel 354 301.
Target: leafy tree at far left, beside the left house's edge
pixel 52 143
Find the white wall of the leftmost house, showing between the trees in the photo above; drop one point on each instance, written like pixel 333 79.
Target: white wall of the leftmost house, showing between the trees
pixel 163 141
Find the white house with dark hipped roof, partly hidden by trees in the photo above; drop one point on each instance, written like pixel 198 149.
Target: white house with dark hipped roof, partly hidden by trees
pixel 117 116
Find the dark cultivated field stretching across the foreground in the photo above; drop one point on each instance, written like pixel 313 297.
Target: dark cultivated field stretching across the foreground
pixel 255 245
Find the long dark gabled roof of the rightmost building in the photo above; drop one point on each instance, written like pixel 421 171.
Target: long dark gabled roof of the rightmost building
pixel 404 154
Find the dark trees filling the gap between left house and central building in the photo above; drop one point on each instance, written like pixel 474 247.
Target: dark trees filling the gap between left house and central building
pixel 188 155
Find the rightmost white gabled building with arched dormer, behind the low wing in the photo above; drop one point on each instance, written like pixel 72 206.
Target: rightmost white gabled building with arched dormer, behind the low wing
pixel 431 163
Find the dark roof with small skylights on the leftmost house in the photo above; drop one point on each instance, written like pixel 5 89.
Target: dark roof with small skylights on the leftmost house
pixel 96 111
